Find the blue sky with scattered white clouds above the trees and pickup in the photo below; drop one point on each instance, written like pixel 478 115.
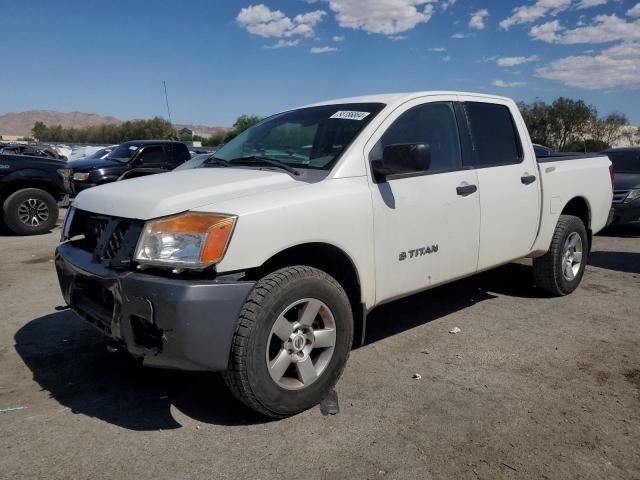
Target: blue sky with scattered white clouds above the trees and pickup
pixel 218 59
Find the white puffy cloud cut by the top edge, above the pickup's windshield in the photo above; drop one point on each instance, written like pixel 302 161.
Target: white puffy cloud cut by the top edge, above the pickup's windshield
pixel 386 17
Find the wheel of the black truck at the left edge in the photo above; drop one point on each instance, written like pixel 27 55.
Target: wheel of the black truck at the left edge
pixel 30 211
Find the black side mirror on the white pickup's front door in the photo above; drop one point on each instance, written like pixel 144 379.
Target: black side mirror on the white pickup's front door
pixel 402 158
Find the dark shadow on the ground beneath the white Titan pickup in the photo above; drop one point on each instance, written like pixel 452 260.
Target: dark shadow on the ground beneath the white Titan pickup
pixel 69 359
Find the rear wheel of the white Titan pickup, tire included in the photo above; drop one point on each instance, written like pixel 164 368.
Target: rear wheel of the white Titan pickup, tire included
pixel 552 271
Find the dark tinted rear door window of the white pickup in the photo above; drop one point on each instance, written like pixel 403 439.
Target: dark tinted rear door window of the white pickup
pixel 494 135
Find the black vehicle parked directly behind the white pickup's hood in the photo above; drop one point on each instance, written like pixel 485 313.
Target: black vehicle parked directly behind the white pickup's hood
pixel 160 155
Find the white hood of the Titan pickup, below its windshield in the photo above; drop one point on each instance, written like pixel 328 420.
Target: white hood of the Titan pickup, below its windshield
pixel 165 194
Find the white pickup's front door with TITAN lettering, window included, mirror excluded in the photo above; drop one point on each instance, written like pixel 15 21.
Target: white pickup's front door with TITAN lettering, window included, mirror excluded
pixel 426 224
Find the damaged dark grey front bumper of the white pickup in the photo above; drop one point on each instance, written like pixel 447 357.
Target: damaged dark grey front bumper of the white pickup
pixel 168 322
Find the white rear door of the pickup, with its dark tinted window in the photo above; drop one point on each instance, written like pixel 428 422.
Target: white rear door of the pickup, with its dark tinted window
pixel 508 183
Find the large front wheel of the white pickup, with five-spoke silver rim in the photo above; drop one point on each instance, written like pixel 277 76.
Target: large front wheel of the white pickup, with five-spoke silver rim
pixel 259 341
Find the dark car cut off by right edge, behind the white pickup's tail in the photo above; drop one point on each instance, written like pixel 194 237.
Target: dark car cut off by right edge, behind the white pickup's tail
pixel 626 189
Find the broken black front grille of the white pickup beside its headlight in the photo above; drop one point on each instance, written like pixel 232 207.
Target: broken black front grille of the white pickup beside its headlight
pixel 110 240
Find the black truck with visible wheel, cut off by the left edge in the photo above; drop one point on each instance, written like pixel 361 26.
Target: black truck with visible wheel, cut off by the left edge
pixel 30 189
